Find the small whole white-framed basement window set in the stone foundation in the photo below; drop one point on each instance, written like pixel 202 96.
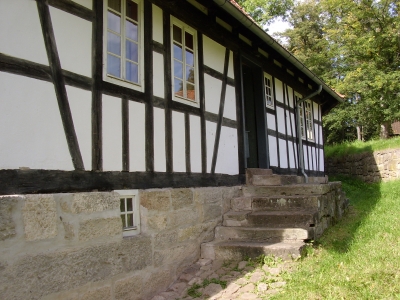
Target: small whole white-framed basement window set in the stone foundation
pixel 129 207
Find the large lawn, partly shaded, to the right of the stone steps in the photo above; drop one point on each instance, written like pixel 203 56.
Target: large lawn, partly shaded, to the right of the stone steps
pixel 359 258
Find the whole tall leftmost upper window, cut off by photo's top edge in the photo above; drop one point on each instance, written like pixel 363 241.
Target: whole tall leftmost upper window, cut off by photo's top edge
pixel 123 43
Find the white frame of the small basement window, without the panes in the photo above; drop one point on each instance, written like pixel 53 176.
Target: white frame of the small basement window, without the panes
pixel 134 195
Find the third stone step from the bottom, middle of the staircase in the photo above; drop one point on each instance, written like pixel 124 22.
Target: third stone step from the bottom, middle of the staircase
pixel 273 218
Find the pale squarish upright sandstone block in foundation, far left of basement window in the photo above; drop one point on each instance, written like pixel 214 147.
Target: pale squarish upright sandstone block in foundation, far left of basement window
pixel 39 217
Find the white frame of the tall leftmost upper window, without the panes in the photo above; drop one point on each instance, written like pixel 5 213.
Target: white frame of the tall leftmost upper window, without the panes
pixel 120 81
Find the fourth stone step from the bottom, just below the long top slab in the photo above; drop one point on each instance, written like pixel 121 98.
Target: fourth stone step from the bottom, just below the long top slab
pixel 275 203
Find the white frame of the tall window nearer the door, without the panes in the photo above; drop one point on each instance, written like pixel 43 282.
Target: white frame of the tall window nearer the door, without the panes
pixel 193 32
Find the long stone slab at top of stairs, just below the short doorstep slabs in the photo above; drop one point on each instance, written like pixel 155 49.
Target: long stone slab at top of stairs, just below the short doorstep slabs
pixel 287 190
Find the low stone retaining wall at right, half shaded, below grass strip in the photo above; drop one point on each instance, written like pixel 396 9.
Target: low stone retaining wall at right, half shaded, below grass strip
pixel 370 167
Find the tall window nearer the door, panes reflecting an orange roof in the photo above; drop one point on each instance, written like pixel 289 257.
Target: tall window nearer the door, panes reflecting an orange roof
pixel 184 63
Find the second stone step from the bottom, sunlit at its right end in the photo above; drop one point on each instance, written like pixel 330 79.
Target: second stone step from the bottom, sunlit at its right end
pixel 259 234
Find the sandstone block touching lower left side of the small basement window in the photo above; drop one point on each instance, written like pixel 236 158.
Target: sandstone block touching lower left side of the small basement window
pixel 90 229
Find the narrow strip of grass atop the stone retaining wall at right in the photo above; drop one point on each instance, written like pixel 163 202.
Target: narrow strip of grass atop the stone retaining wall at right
pixel 360 147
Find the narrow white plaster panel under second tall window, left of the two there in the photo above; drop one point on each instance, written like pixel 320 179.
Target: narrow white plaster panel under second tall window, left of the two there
pixel 178 145
